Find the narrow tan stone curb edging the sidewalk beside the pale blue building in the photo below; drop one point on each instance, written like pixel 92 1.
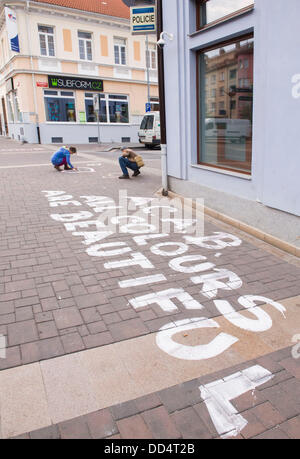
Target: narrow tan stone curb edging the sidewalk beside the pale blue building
pixel 276 242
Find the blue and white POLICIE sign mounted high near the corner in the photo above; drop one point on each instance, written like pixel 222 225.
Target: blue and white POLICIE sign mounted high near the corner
pixel 143 20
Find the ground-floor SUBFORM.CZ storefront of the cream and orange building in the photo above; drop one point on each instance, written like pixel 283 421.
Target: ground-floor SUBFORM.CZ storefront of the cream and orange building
pixel 66 110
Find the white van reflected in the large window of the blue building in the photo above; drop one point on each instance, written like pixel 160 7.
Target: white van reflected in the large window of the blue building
pixel 231 129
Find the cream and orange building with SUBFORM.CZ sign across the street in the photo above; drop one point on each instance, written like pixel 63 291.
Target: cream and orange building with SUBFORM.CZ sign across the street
pixel 72 57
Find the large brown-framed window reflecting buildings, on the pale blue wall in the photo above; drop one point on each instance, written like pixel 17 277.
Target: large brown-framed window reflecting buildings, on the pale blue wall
pixel 225 126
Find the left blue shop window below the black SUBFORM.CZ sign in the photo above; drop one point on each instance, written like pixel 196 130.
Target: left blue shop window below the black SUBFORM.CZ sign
pixel 60 106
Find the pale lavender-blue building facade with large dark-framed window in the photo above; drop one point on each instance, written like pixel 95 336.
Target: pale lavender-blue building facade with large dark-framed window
pixel 232 99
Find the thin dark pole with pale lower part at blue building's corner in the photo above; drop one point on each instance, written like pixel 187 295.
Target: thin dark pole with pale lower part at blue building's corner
pixel 161 85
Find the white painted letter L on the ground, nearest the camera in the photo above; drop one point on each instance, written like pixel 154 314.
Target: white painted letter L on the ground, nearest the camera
pixel 218 394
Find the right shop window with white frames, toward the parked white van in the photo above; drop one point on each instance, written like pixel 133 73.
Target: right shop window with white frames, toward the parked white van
pixel 113 108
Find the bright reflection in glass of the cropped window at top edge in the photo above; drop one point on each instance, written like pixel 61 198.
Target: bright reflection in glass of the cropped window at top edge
pixel 213 10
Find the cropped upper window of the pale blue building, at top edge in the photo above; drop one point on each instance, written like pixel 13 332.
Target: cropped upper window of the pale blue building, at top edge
pixel 209 11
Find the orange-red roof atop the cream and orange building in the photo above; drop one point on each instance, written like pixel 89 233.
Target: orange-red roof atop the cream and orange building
pixel 114 8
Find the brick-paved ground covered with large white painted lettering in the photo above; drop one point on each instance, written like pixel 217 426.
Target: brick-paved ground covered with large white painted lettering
pixel 66 289
